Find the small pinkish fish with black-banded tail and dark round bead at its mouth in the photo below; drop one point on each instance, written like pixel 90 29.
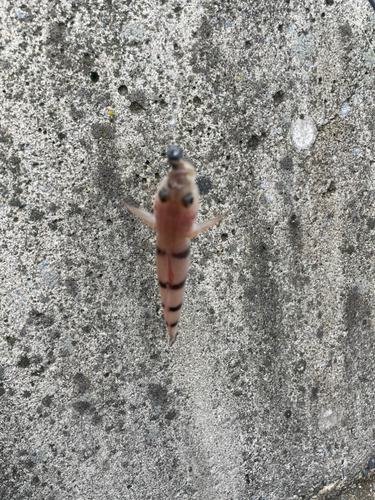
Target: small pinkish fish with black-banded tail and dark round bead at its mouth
pixel 175 212
